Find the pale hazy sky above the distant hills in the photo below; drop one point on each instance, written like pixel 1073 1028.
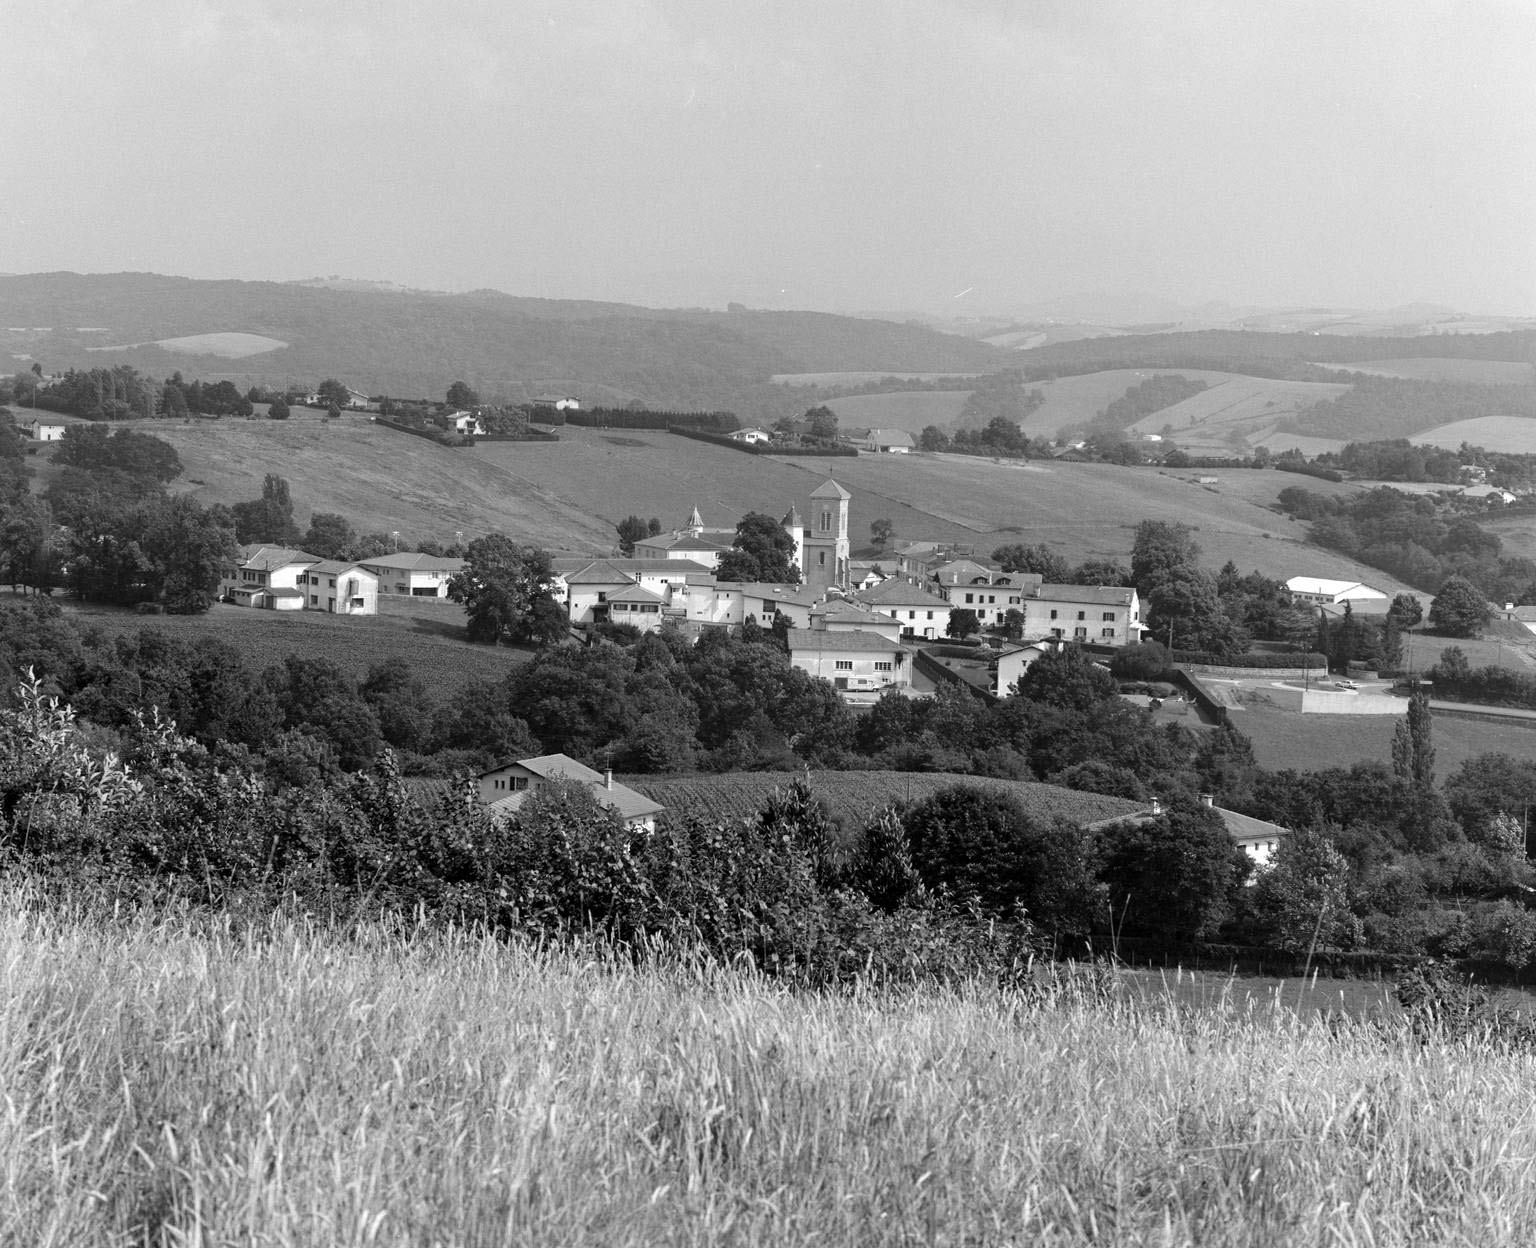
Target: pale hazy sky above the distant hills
pixel 844 154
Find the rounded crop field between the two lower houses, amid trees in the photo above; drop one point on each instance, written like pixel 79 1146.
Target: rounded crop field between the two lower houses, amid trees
pixel 852 797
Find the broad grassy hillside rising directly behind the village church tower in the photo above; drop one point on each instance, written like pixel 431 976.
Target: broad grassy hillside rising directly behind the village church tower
pixel 568 496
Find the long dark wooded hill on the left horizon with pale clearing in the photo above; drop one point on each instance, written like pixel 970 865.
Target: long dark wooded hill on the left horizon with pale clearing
pixel 411 344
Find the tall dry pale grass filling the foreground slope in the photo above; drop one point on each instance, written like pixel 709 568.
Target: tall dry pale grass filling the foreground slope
pixel 182 1083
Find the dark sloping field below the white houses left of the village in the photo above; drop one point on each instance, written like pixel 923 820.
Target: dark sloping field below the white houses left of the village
pixel 428 636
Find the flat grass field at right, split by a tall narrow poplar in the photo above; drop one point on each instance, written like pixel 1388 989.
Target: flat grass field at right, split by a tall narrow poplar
pixel 1285 739
